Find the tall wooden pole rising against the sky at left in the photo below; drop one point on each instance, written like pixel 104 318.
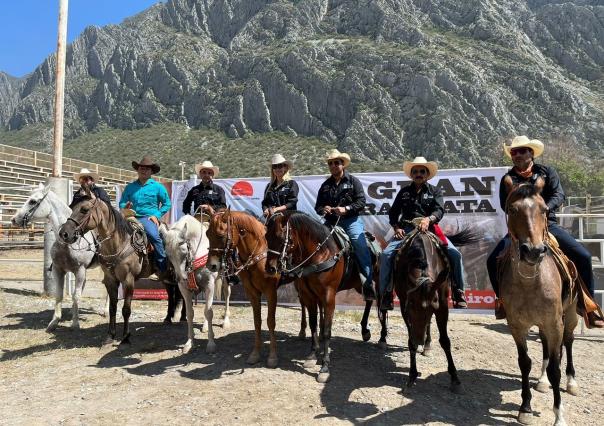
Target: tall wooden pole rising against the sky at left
pixel 57 166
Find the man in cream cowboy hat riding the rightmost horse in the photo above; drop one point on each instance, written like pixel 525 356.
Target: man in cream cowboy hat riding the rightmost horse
pixel 523 151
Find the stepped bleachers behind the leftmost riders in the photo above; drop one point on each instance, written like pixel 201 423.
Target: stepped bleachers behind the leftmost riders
pixel 21 170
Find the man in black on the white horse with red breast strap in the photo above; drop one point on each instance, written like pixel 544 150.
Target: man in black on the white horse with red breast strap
pixel 207 193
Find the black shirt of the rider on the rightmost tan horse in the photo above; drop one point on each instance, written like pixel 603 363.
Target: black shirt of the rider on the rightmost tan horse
pixel 552 193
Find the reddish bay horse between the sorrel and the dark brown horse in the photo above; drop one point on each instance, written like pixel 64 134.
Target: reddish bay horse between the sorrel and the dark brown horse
pixel 299 239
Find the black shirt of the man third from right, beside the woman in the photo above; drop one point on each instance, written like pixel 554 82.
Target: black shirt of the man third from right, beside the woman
pixel 347 193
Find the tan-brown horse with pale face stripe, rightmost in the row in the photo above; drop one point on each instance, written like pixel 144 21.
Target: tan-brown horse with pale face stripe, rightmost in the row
pixel 532 290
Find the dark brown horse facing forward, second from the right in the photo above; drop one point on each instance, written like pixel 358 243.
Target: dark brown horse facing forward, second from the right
pixel 421 281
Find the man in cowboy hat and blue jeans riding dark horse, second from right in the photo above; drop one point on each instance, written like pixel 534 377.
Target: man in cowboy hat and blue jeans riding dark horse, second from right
pixel 425 201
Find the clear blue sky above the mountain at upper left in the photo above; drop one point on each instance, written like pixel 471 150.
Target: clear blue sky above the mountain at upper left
pixel 28 28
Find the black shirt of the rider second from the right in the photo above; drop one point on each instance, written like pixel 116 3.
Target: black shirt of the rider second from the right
pixel 409 204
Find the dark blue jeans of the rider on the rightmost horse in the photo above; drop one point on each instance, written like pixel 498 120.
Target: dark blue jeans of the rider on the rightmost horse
pixel 575 251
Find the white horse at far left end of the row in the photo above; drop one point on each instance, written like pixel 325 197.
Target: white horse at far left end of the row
pixel 45 205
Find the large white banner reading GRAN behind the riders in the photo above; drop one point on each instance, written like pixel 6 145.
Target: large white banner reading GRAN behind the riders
pixel 471 200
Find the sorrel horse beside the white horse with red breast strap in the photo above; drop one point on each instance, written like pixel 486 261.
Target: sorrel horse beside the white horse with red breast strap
pixel 230 230
